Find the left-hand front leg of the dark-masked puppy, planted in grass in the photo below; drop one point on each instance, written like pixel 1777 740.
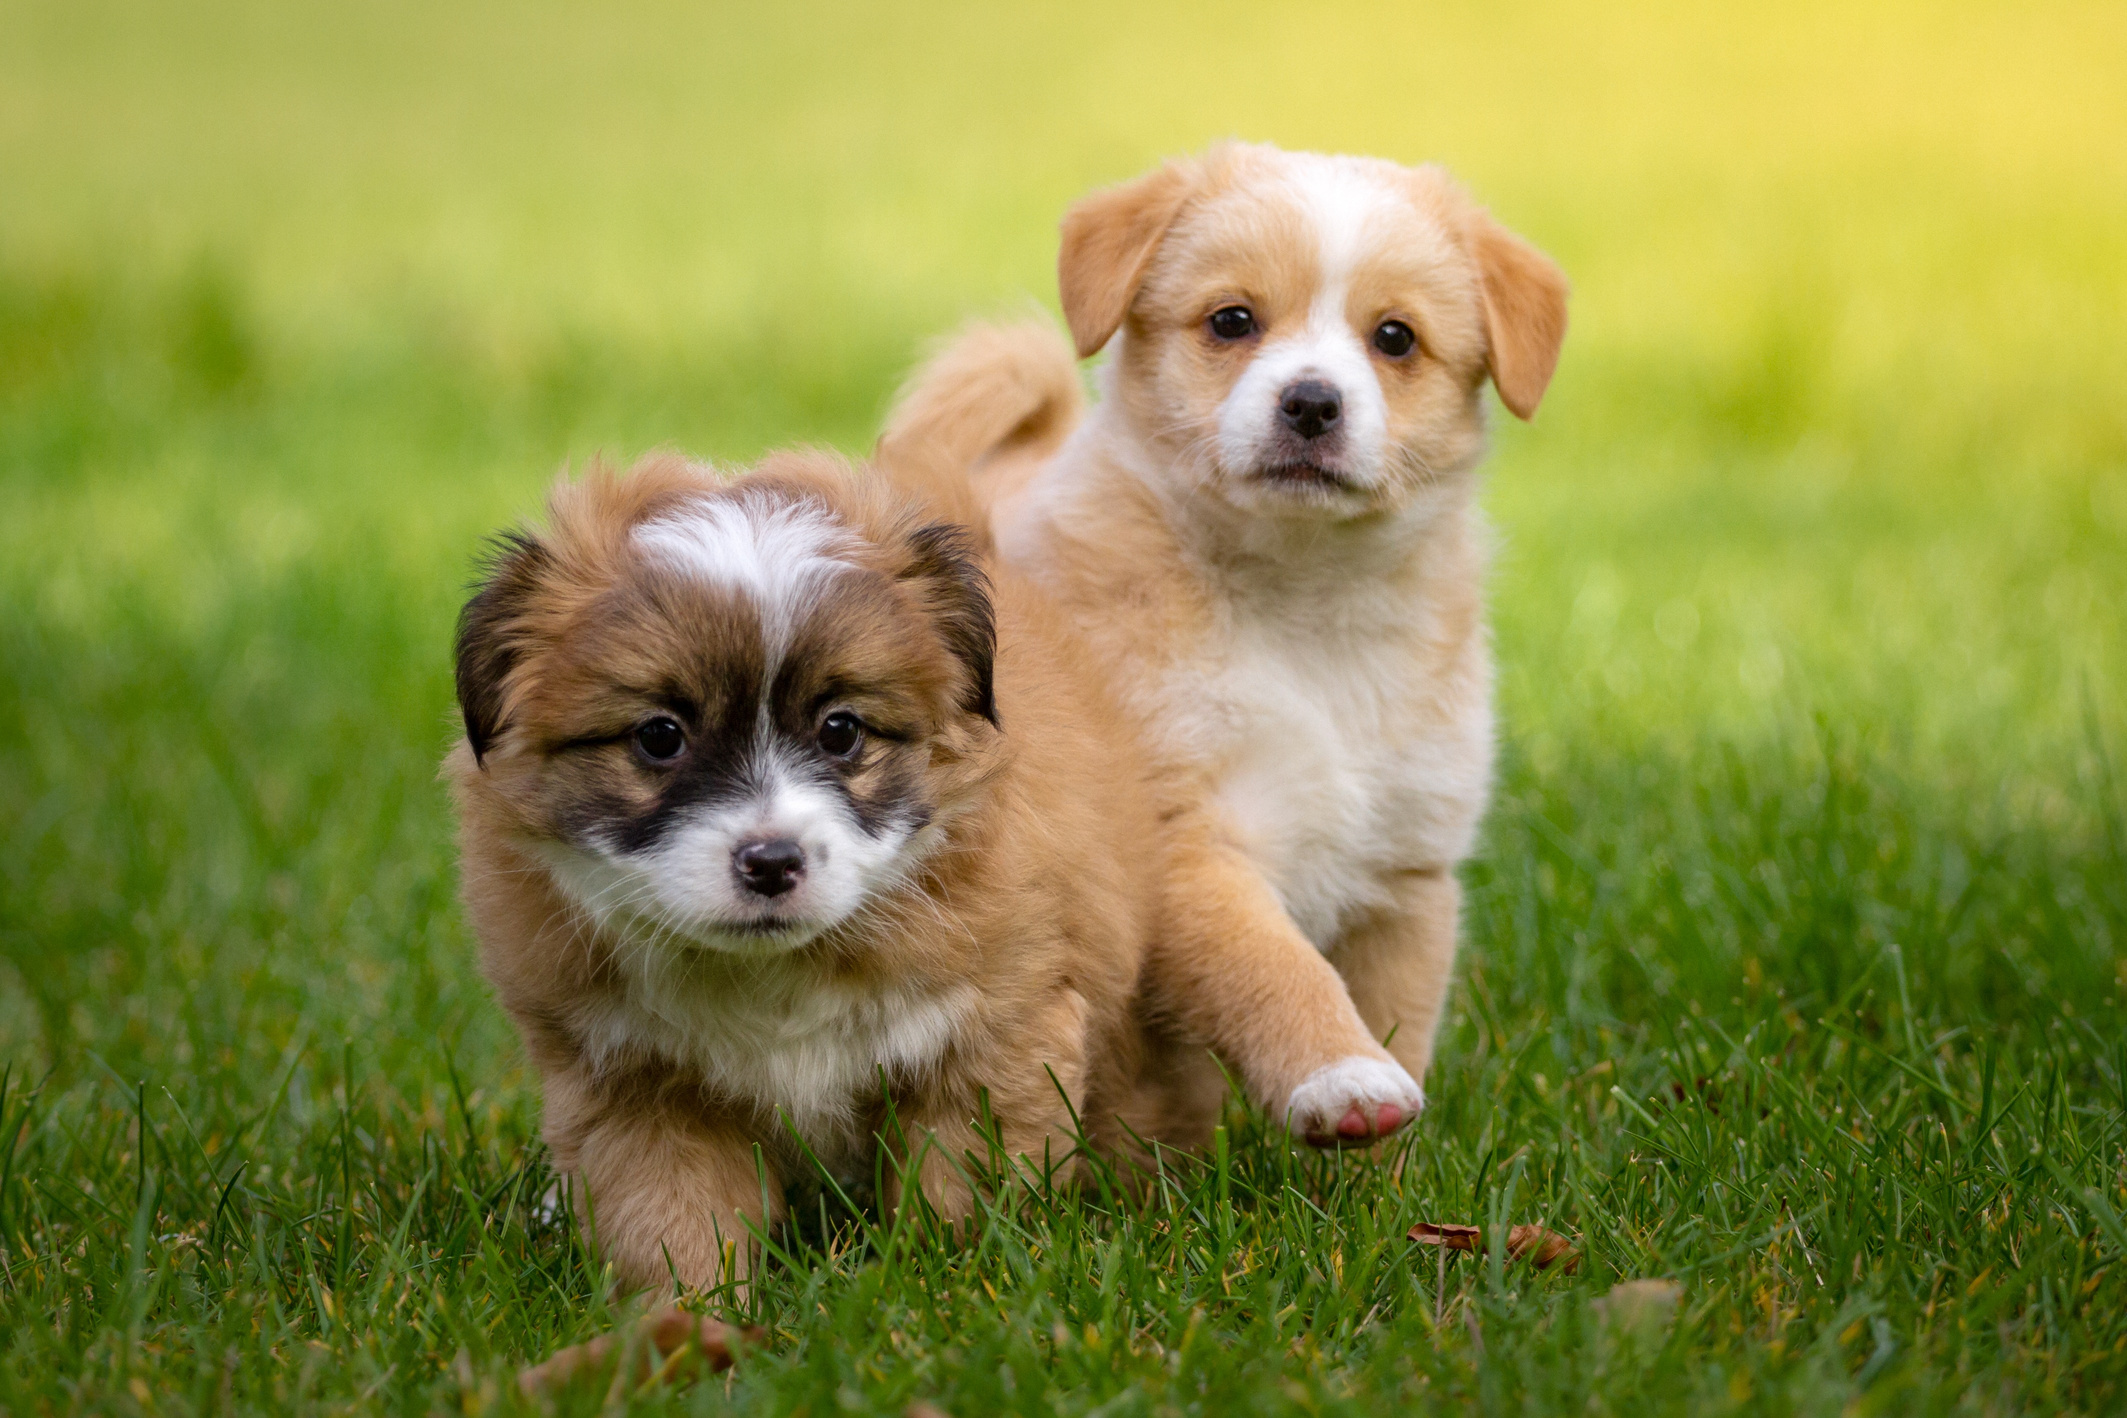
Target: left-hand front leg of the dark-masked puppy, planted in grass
pixel 671 1185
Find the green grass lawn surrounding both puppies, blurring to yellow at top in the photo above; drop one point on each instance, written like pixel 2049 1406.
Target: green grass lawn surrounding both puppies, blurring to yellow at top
pixel 1796 947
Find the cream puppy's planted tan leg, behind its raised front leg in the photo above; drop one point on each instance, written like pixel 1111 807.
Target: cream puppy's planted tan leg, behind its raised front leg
pixel 1399 964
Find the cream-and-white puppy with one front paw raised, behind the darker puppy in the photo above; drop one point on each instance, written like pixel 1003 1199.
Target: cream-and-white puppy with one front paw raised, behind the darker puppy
pixel 1267 528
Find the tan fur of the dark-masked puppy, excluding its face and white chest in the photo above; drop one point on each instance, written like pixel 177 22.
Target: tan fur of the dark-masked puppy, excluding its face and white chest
pixel 1037 907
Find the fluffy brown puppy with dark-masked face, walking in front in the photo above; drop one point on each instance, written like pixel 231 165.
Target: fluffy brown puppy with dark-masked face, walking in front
pixel 743 843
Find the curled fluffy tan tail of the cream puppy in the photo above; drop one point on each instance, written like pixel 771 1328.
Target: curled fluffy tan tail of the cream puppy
pixel 990 390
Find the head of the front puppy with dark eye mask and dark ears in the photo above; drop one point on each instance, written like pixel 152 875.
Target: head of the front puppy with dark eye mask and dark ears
pixel 722 722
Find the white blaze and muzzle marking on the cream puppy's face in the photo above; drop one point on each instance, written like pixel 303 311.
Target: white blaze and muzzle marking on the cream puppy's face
pixel 1339 201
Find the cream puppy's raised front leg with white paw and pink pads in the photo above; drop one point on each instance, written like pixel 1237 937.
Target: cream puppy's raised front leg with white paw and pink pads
pixel 1237 973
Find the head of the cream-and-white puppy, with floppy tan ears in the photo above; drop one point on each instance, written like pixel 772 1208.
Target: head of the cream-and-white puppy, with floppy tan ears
pixel 1309 335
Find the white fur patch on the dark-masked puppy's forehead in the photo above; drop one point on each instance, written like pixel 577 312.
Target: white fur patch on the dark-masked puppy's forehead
pixel 777 554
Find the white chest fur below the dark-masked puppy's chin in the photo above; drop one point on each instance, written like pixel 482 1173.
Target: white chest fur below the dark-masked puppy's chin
pixel 780 1034
